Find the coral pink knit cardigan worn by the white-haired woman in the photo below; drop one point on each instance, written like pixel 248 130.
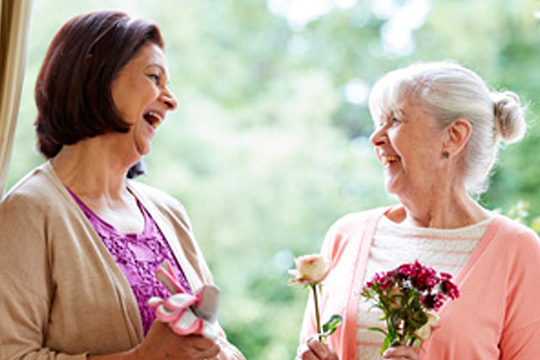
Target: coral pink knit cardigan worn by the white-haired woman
pixel 497 316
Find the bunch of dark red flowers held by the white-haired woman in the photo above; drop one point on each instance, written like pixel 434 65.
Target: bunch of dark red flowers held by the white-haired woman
pixel 409 296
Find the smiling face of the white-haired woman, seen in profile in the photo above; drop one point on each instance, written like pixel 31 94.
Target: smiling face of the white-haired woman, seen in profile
pixel 408 142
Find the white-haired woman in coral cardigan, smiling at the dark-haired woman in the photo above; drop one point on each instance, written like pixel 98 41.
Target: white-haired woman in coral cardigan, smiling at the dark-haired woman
pixel 438 129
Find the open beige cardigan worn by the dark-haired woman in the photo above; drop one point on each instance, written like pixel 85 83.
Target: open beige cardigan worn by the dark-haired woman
pixel 62 296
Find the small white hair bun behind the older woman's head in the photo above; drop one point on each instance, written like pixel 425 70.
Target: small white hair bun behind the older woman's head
pixel 509 117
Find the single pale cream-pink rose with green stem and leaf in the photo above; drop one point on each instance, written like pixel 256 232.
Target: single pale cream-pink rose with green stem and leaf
pixel 310 271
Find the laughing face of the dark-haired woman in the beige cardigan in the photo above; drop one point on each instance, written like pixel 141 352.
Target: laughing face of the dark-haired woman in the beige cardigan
pixel 142 98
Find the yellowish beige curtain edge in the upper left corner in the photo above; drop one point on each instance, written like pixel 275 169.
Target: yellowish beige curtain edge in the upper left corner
pixel 14 24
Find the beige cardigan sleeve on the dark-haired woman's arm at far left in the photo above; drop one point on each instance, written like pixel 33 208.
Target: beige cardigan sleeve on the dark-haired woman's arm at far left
pixel 26 289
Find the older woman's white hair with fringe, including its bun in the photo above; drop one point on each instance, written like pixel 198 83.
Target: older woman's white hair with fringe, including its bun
pixel 449 91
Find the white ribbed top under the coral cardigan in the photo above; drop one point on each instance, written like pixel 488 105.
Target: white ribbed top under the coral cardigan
pixel 446 250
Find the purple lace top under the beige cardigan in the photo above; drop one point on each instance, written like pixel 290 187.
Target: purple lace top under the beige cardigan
pixel 138 256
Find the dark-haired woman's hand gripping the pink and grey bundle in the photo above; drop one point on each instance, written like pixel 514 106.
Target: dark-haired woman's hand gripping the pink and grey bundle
pixel 162 343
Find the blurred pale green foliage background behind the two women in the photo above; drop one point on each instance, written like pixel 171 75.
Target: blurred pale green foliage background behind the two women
pixel 270 143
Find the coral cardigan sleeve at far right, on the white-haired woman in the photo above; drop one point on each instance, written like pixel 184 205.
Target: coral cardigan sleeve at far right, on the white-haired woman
pixel 520 338
